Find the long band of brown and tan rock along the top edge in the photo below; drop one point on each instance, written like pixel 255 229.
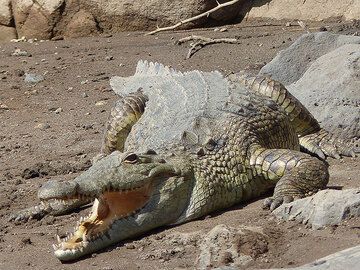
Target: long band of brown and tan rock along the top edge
pixel 45 19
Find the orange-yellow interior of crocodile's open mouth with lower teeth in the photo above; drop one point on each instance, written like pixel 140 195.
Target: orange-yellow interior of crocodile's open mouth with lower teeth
pixel 109 207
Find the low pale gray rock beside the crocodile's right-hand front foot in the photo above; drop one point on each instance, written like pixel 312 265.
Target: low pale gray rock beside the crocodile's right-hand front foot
pixel 327 207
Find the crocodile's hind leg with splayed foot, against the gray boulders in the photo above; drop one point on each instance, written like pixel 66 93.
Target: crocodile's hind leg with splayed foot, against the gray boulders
pixel 313 139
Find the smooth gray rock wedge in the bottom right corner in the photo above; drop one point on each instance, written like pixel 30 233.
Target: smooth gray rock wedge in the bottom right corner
pixel 347 259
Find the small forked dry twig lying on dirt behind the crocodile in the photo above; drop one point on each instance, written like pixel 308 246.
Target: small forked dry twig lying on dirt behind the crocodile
pixel 200 42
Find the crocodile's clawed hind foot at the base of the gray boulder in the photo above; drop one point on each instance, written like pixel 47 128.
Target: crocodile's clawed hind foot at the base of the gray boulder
pixel 325 144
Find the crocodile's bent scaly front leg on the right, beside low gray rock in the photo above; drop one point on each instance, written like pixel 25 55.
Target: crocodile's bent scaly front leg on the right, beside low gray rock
pixel 294 174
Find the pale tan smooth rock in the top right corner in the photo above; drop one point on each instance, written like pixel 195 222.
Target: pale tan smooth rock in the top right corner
pixel 305 10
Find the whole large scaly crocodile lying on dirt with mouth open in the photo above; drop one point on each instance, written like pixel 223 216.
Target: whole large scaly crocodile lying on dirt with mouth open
pixel 181 145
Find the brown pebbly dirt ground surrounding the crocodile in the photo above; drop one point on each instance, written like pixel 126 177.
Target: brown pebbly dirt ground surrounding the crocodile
pixel 51 130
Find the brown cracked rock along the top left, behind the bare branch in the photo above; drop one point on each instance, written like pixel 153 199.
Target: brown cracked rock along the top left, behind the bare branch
pixel 45 19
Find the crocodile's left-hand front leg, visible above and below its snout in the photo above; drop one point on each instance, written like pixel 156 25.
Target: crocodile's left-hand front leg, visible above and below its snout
pixel 124 114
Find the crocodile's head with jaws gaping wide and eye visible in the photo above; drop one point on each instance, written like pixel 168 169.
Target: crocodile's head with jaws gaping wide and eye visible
pixel 132 193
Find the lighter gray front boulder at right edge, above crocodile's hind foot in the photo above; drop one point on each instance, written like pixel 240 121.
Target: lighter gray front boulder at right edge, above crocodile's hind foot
pixel 330 89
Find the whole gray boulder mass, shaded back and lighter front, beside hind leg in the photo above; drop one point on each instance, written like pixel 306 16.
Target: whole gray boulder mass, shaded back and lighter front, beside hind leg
pixel 322 70
